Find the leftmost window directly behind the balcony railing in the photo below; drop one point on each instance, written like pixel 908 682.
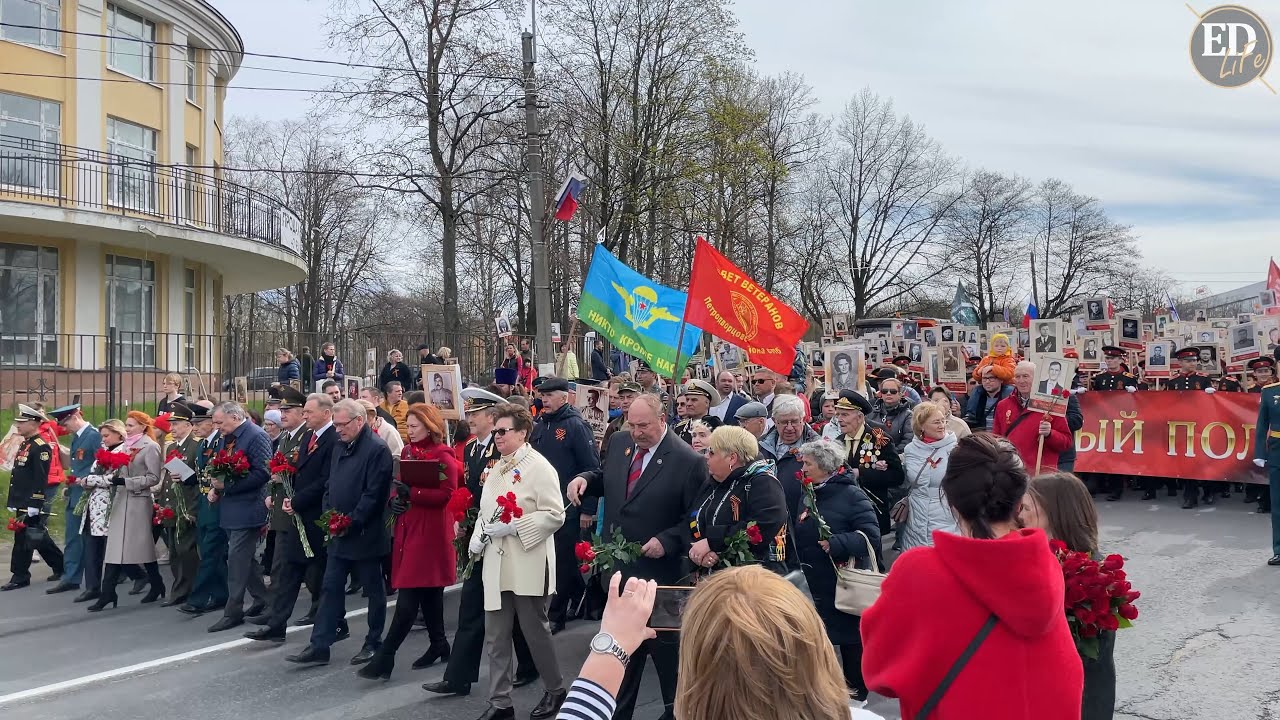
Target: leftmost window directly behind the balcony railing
pixel 29 143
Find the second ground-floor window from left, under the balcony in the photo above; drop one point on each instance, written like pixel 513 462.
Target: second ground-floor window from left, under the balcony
pixel 131 290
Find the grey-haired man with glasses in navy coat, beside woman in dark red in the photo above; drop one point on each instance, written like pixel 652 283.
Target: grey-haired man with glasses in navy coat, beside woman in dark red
pixel 360 482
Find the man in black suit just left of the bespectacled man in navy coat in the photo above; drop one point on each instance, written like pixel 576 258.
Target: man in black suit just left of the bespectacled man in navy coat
pixel 295 568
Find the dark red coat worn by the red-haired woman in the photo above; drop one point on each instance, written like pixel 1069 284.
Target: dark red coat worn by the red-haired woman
pixel 423 552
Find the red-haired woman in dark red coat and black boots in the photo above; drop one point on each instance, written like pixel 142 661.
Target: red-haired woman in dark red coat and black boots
pixel 423 558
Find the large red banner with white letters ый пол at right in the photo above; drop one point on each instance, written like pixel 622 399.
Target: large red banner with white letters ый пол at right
pixel 1183 435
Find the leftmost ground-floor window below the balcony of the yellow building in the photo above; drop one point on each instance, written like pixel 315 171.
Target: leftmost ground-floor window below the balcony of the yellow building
pixel 29 306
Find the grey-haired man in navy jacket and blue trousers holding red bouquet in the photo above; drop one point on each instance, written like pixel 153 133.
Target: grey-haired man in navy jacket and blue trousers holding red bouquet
pixel 243 512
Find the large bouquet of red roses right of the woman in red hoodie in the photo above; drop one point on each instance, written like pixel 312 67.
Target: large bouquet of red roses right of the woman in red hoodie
pixel 1099 596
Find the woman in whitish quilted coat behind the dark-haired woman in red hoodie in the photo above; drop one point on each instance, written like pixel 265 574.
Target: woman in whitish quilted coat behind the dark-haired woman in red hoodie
pixel 925 463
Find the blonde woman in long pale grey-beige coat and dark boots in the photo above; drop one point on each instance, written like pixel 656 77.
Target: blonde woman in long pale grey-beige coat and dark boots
pixel 130 539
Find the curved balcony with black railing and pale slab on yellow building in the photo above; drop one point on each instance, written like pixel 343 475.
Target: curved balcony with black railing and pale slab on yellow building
pixel 52 190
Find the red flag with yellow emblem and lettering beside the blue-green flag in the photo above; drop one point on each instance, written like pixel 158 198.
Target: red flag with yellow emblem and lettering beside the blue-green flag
pixel 728 304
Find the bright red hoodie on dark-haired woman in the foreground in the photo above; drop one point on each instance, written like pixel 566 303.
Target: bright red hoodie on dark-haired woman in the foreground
pixel 935 601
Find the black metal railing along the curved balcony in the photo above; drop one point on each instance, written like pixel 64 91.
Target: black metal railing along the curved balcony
pixel 51 174
